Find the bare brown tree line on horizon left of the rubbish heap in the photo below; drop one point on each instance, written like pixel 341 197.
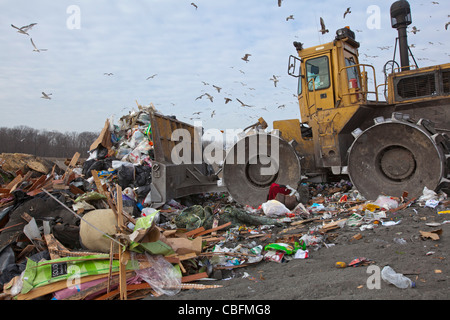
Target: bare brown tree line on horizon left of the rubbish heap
pixel 43 143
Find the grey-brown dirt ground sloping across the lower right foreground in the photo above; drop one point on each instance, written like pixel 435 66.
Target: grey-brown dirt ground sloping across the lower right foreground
pixel 424 261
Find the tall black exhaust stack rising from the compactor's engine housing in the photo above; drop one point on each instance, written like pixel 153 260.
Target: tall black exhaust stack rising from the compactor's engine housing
pixel 400 20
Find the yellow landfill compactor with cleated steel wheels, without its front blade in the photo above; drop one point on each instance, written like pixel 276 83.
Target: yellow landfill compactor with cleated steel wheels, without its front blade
pixel 388 146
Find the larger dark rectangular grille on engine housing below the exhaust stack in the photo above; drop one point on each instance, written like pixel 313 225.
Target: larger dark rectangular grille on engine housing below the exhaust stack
pixel 417 86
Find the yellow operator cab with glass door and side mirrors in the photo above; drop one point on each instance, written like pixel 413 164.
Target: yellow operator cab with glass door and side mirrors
pixel 330 75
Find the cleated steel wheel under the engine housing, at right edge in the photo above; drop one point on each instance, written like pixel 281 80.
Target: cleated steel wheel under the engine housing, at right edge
pixel 395 156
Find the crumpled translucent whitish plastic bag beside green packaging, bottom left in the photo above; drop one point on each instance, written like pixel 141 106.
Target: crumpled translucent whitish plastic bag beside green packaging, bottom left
pixel 161 275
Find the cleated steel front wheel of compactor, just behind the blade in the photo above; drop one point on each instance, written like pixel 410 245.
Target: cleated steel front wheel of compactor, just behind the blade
pixel 254 163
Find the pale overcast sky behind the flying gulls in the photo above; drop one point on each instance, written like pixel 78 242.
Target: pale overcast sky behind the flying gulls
pixel 184 46
